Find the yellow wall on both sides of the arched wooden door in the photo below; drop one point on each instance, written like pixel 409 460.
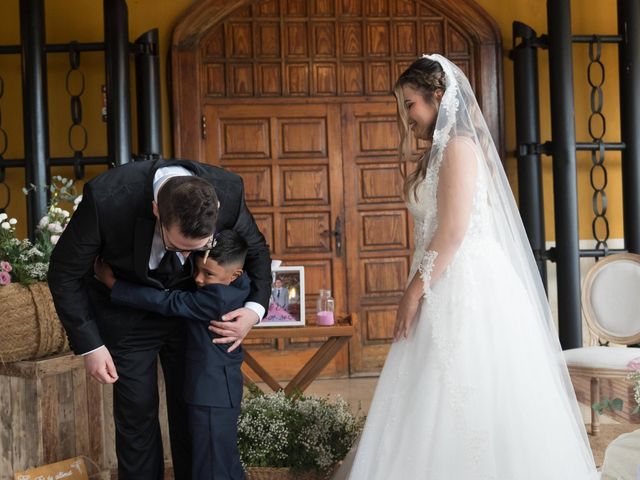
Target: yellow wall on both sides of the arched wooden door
pixel 82 20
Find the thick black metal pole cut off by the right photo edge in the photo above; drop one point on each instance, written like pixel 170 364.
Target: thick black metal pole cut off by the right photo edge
pixel 629 61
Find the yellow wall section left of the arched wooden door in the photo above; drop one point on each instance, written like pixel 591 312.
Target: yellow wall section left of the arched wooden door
pixel 79 20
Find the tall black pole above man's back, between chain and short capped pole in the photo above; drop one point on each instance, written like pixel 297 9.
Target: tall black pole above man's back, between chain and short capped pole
pixel 116 39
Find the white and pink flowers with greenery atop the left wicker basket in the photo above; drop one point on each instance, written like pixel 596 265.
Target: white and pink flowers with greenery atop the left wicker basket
pixel 24 261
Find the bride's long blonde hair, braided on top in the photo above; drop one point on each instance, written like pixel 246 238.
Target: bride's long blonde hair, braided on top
pixel 427 77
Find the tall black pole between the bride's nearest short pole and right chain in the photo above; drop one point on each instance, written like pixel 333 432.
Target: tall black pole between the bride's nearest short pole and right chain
pixel 564 172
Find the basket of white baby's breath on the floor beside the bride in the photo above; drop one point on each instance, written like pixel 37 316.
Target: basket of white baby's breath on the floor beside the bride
pixel 294 436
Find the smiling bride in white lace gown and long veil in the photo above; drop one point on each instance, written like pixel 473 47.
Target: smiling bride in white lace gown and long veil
pixel 474 386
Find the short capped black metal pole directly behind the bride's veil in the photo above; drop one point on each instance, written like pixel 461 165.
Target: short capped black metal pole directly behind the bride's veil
pixel 525 64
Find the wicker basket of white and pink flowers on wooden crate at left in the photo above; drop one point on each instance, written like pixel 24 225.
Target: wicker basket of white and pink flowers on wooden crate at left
pixel 31 328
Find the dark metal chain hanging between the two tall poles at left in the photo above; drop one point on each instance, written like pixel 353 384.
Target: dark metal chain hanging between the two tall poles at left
pixel 76 131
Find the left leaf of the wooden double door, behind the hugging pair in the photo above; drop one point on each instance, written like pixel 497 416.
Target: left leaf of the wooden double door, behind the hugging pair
pixel 290 160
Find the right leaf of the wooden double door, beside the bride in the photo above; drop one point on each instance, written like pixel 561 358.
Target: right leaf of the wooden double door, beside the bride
pixel 377 228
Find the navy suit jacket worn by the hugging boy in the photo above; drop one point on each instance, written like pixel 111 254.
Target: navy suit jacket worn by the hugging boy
pixel 212 375
